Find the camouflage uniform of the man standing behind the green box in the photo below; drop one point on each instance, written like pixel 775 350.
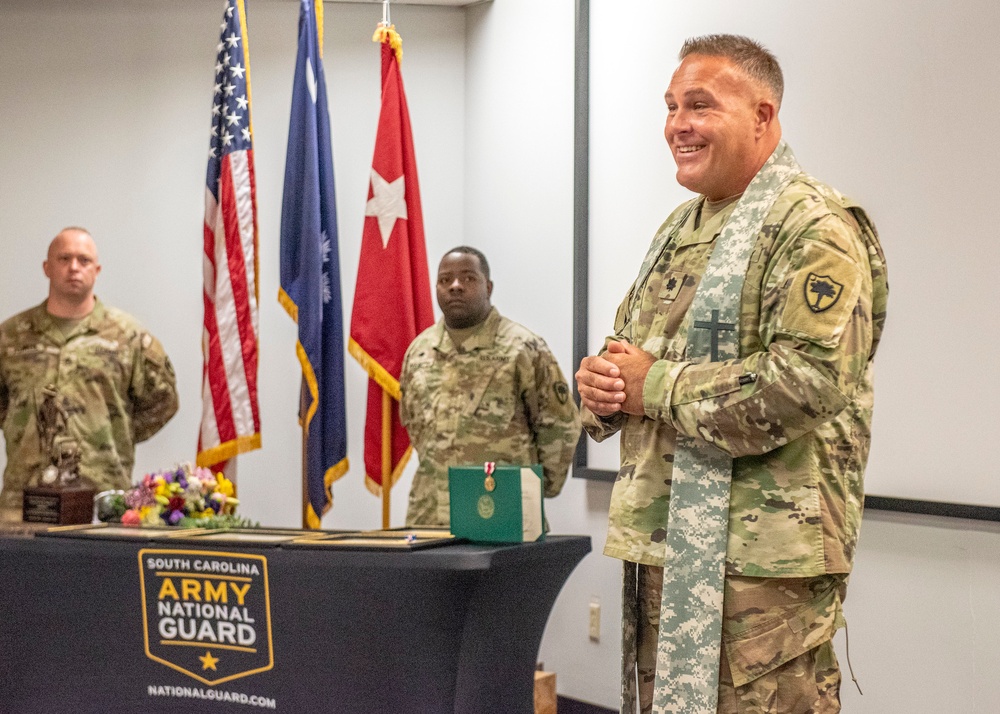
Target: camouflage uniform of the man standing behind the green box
pixel 500 397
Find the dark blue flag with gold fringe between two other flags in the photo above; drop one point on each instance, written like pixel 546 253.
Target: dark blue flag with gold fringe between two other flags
pixel 310 268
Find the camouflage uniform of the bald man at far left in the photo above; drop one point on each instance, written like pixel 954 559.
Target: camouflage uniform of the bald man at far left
pixel 114 383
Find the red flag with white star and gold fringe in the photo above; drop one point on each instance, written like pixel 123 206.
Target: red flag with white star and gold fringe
pixel 392 299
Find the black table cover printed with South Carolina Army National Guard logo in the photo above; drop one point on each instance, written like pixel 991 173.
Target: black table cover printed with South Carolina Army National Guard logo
pixel 99 625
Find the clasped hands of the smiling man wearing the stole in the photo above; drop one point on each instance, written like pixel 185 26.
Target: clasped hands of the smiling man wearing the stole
pixel 613 381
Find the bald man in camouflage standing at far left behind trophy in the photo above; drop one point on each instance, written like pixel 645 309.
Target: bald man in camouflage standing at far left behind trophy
pixel 79 375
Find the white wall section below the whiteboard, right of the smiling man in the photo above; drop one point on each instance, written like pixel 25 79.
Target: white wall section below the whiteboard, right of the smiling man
pixel 922 610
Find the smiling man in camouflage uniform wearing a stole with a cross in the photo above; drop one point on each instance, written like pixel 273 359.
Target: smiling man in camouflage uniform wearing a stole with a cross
pixel 778 390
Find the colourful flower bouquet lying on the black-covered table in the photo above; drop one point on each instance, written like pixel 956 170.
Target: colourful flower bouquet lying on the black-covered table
pixel 187 496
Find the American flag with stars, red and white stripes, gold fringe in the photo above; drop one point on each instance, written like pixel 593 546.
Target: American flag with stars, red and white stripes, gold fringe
pixel 230 422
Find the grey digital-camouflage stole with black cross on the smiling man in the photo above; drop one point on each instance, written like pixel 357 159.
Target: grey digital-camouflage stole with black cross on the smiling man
pixel 690 637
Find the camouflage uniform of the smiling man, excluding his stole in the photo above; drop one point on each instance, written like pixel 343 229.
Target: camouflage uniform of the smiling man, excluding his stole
pixel 794 411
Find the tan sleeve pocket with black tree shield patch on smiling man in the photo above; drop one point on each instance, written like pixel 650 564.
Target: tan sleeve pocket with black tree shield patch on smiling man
pixel 822 296
